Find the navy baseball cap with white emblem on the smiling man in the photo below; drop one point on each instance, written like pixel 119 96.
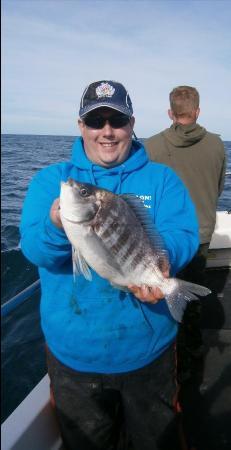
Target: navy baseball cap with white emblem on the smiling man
pixel 110 94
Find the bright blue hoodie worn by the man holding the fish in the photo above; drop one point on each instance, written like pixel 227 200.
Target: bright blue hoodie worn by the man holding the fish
pixel 89 325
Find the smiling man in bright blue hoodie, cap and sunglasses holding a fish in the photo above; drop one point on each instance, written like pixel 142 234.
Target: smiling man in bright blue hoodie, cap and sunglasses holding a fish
pixel 110 353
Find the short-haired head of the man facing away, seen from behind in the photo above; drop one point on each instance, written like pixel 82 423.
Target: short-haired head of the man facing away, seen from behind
pixel 184 100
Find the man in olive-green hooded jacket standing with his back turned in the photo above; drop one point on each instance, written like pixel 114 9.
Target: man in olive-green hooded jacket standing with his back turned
pixel 198 157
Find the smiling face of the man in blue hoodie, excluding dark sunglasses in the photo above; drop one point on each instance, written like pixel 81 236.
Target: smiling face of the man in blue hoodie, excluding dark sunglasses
pixel 107 146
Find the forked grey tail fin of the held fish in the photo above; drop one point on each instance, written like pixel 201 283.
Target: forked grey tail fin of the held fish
pixel 180 293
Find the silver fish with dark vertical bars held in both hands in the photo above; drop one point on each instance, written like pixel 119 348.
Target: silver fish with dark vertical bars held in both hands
pixel 116 237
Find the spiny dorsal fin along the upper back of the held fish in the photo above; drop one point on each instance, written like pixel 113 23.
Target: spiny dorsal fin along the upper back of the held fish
pixel 142 214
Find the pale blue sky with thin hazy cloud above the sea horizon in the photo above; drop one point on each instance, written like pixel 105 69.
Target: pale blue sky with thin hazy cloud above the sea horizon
pixel 52 49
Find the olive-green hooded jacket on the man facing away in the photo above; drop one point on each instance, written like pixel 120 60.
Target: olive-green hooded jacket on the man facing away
pixel 198 157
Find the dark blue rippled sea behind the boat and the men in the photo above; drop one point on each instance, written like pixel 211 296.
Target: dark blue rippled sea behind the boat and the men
pixel 23 349
